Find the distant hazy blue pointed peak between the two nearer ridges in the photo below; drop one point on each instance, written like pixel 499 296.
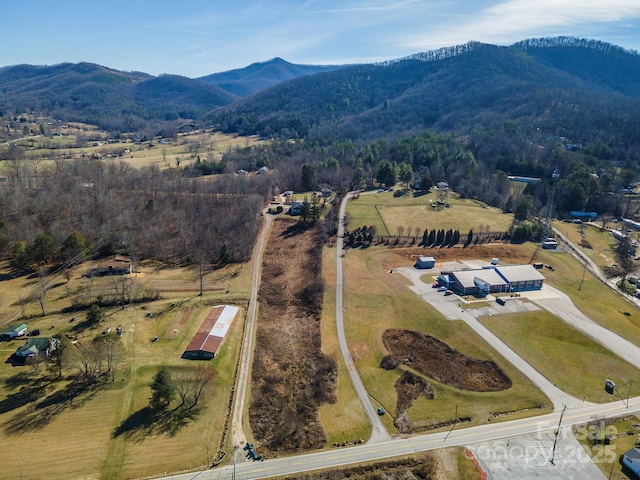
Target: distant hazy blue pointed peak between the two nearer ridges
pixel 262 75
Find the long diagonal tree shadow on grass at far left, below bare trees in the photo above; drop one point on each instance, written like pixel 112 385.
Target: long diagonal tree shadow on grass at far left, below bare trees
pixel 74 395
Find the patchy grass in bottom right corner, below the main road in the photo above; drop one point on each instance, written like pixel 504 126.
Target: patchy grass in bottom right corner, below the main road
pixel 623 433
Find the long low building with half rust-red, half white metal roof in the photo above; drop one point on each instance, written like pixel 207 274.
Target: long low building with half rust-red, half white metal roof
pixel 211 335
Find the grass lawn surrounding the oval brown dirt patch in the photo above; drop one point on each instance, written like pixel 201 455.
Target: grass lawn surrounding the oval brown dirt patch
pixel 376 300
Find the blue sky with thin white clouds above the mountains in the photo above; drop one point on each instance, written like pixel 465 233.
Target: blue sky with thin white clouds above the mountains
pixel 199 37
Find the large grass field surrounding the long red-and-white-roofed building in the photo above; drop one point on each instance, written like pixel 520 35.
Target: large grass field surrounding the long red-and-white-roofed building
pixel 105 432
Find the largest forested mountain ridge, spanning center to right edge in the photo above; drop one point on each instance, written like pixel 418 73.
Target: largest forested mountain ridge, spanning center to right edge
pixel 481 84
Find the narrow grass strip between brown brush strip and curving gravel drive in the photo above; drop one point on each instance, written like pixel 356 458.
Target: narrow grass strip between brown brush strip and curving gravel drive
pixel 345 420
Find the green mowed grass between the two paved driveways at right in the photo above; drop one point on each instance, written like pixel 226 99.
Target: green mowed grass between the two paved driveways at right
pixel 571 360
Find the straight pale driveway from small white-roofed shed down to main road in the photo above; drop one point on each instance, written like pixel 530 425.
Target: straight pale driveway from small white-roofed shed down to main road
pixel 448 306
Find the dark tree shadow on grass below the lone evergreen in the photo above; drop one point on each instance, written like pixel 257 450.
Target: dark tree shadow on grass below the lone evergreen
pixel 148 421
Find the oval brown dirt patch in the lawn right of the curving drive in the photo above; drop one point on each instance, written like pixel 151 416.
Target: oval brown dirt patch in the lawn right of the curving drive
pixel 437 360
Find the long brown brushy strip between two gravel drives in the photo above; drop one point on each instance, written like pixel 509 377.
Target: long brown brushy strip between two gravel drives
pixel 291 377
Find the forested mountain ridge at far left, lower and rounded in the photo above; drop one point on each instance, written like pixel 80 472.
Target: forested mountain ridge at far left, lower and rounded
pixel 111 99
